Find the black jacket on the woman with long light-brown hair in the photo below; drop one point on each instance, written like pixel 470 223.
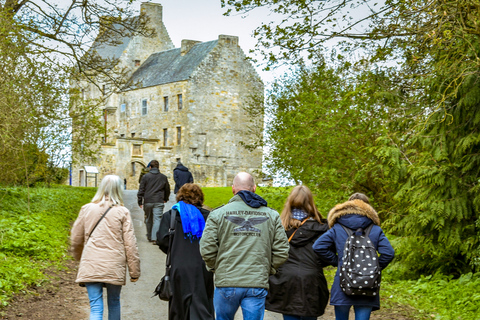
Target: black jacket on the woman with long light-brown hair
pixel 299 287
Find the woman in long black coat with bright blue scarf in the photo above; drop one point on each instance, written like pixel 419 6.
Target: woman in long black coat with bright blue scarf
pixel 192 283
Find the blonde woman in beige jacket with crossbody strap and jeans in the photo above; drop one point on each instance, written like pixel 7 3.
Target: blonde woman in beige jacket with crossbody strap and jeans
pixel 105 251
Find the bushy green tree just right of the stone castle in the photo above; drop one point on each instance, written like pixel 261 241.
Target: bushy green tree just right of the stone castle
pixel 323 120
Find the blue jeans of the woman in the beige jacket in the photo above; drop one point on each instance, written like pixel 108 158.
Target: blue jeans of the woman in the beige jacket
pixel 95 295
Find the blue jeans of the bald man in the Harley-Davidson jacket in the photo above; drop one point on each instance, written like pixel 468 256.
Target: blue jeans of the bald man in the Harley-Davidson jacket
pixel 227 300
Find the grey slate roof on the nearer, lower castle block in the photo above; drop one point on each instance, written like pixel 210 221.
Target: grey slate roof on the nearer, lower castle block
pixel 169 66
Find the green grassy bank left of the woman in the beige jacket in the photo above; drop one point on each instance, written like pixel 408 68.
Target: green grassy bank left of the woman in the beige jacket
pixel 34 227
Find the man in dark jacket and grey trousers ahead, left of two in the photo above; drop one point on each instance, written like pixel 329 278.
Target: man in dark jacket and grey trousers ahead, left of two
pixel 152 194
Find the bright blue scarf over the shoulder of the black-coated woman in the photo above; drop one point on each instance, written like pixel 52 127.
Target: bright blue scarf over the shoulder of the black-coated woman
pixel 193 222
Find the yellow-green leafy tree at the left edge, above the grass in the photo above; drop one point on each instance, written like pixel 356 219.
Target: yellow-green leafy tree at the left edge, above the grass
pixel 35 127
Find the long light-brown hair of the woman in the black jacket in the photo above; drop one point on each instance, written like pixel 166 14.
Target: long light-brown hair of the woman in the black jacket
pixel 300 198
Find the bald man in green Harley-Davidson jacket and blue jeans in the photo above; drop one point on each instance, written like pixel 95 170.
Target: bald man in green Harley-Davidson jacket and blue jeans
pixel 244 242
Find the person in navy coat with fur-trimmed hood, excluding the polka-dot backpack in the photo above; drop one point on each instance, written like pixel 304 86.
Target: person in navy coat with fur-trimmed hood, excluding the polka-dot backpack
pixel 353 214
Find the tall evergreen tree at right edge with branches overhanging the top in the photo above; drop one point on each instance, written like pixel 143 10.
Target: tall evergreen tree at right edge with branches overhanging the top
pixel 426 158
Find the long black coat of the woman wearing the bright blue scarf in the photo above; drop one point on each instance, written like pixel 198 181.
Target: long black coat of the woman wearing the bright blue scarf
pixel 192 283
